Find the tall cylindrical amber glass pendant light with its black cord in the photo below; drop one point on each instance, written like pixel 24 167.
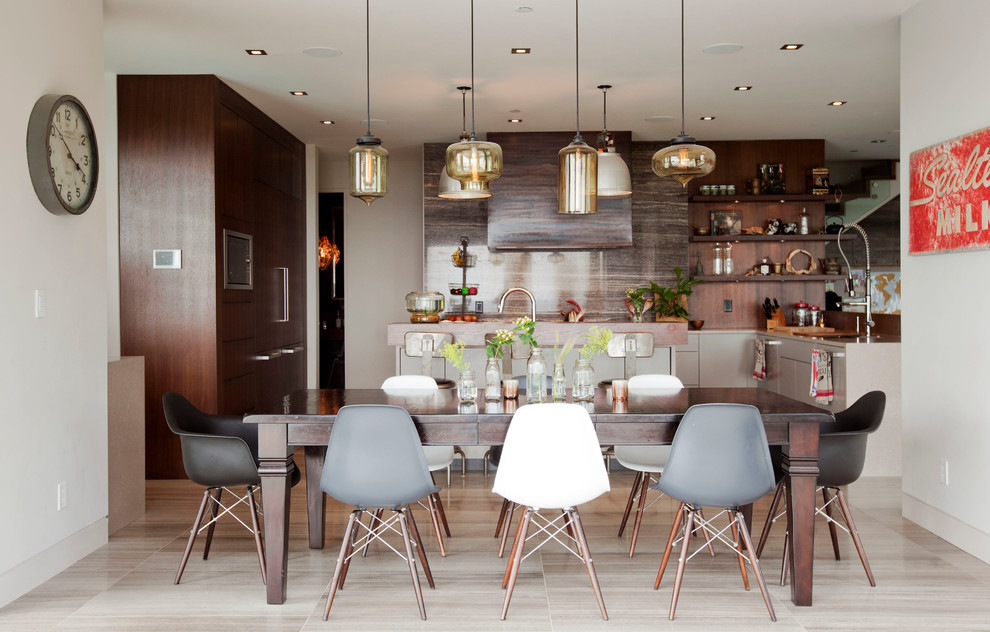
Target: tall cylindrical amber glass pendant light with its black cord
pixel 577 164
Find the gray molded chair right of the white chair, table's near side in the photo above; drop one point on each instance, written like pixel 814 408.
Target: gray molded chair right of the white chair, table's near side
pixel 719 458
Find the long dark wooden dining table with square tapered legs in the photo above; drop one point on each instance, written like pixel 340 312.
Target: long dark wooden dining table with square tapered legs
pixel 305 418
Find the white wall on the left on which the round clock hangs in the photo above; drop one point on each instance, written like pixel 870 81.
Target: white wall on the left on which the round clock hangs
pixel 53 375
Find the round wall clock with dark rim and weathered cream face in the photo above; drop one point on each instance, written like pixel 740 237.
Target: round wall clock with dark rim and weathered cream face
pixel 62 156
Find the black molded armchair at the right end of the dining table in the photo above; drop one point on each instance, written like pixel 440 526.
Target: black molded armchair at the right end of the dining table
pixel 841 457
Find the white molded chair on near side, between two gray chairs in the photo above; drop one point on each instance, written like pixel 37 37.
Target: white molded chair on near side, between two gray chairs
pixel 551 459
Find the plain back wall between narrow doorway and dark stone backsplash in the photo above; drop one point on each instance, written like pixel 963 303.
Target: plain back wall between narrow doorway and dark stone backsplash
pixel 383 244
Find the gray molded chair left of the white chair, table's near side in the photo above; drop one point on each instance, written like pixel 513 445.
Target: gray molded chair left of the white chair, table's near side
pixel 375 461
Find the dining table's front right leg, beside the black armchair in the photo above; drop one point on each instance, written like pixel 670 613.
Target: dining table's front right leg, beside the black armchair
pixel 800 464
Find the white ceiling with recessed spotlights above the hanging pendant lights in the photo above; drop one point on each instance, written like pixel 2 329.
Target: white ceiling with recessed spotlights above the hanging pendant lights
pixel 420 52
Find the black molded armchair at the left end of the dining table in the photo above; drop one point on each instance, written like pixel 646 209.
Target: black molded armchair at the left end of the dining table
pixel 218 452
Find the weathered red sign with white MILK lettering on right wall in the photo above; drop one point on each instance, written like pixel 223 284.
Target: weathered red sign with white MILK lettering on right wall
pixel 950 195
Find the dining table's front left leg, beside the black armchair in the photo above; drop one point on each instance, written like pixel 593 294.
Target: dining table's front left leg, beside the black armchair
pixel 275 469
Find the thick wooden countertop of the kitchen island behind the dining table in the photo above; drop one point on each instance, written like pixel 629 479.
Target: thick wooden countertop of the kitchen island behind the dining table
pixel 665 334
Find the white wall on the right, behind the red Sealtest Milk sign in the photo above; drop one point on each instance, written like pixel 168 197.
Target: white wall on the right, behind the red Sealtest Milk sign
pixel 945 302
